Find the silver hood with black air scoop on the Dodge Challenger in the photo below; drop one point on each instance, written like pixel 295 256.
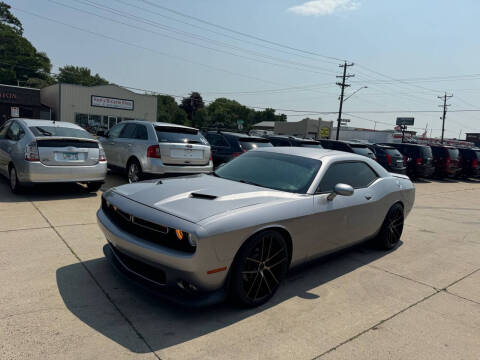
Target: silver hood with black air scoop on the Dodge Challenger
pixel 195 198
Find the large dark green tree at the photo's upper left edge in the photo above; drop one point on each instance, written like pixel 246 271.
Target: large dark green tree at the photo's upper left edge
pixel 20 62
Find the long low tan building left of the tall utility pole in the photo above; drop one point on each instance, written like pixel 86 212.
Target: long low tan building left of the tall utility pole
pixel 306 128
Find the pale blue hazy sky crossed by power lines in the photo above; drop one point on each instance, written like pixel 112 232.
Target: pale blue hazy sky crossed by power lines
pixel 283 54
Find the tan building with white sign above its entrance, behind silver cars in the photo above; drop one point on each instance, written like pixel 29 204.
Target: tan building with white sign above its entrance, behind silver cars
pixel 98 107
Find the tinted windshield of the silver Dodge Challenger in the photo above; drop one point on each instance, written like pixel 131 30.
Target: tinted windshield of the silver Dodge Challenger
pixel 270 170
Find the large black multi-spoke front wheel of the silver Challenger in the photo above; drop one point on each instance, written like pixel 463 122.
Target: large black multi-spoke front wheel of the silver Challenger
pixel 260 266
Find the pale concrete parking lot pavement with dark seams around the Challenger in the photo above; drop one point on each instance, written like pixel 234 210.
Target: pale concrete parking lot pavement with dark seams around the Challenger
pixel 61 298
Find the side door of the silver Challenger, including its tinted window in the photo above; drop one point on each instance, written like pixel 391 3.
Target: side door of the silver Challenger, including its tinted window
pixel 345 219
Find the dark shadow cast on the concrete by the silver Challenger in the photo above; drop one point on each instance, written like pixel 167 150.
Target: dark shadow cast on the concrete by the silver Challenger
pixel 164 324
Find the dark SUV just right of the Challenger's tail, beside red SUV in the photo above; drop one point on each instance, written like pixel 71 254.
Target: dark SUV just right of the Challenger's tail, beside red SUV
pixel 419 159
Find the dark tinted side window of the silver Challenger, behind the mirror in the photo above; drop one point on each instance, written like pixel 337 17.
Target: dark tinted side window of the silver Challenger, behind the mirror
pixel 355 173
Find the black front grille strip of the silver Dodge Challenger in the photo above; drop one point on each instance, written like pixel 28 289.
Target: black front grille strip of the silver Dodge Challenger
pixel 146 230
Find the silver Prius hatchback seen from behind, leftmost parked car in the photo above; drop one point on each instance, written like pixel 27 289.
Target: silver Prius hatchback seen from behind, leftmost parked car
pixel 44 151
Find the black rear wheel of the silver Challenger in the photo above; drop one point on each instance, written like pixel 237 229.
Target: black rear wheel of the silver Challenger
pixel 392 228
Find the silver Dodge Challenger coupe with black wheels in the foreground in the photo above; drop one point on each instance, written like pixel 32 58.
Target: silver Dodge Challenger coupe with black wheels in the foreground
pixel 238 231
